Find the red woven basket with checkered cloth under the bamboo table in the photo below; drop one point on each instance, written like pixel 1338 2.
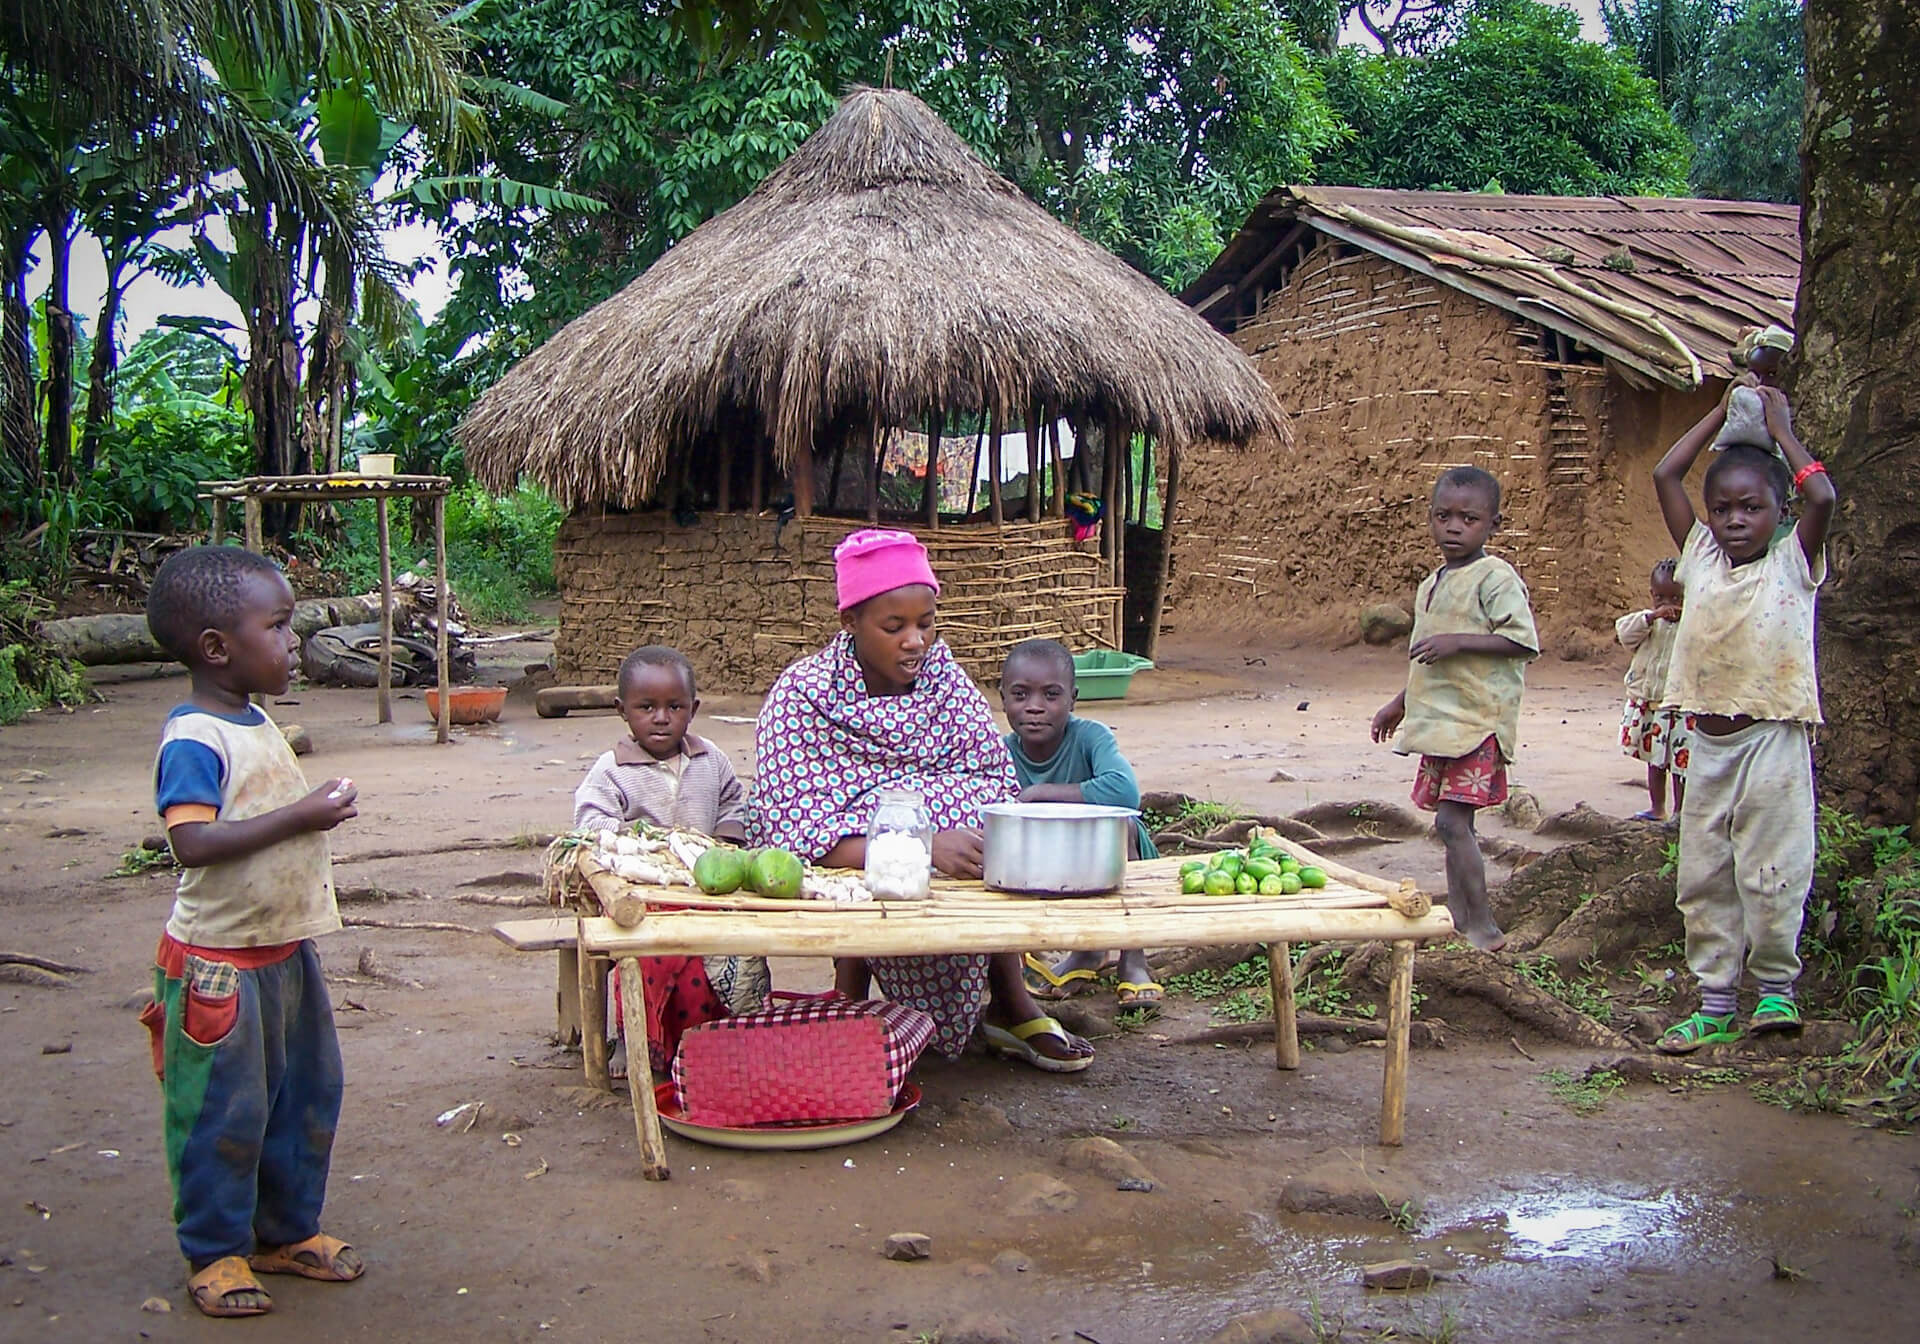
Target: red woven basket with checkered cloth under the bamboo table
pixel 802 1061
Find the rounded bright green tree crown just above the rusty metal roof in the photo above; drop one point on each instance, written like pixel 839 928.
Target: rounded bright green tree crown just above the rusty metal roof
pixel 1518 97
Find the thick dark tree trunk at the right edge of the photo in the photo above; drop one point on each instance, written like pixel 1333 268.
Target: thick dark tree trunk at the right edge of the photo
pixel 1856 393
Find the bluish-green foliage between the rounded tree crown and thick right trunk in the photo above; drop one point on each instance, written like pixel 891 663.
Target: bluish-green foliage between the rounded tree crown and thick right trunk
pixel 1735 78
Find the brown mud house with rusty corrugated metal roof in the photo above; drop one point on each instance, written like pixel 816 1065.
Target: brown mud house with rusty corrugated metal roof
pixel 1560 343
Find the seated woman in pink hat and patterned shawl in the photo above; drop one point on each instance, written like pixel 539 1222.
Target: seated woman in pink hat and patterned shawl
pixel 886 706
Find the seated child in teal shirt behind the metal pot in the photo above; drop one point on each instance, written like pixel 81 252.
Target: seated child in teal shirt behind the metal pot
pixel 1067 759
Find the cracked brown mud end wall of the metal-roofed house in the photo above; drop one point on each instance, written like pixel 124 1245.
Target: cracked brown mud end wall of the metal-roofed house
pixel 1391 379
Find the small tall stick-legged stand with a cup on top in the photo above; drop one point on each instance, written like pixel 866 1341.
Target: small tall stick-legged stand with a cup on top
pixel 254 492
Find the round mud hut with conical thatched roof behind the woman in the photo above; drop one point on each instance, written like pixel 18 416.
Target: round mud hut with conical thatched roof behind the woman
pixel 717 427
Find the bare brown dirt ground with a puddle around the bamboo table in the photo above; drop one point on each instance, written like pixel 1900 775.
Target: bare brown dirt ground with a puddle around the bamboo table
pixel 1662 1216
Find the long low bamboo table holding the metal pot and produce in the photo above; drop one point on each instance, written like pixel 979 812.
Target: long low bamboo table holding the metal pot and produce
pixel 965 917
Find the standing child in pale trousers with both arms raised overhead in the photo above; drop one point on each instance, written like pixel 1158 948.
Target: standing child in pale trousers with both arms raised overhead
pixel 1744 673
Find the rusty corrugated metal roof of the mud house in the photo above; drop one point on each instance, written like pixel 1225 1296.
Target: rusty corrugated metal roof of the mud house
pixel 1702 270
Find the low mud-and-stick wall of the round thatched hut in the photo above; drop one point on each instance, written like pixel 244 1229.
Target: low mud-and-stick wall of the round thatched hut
pixel 742 606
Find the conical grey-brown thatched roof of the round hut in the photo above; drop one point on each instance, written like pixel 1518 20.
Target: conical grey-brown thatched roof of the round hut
pixel 880 274
